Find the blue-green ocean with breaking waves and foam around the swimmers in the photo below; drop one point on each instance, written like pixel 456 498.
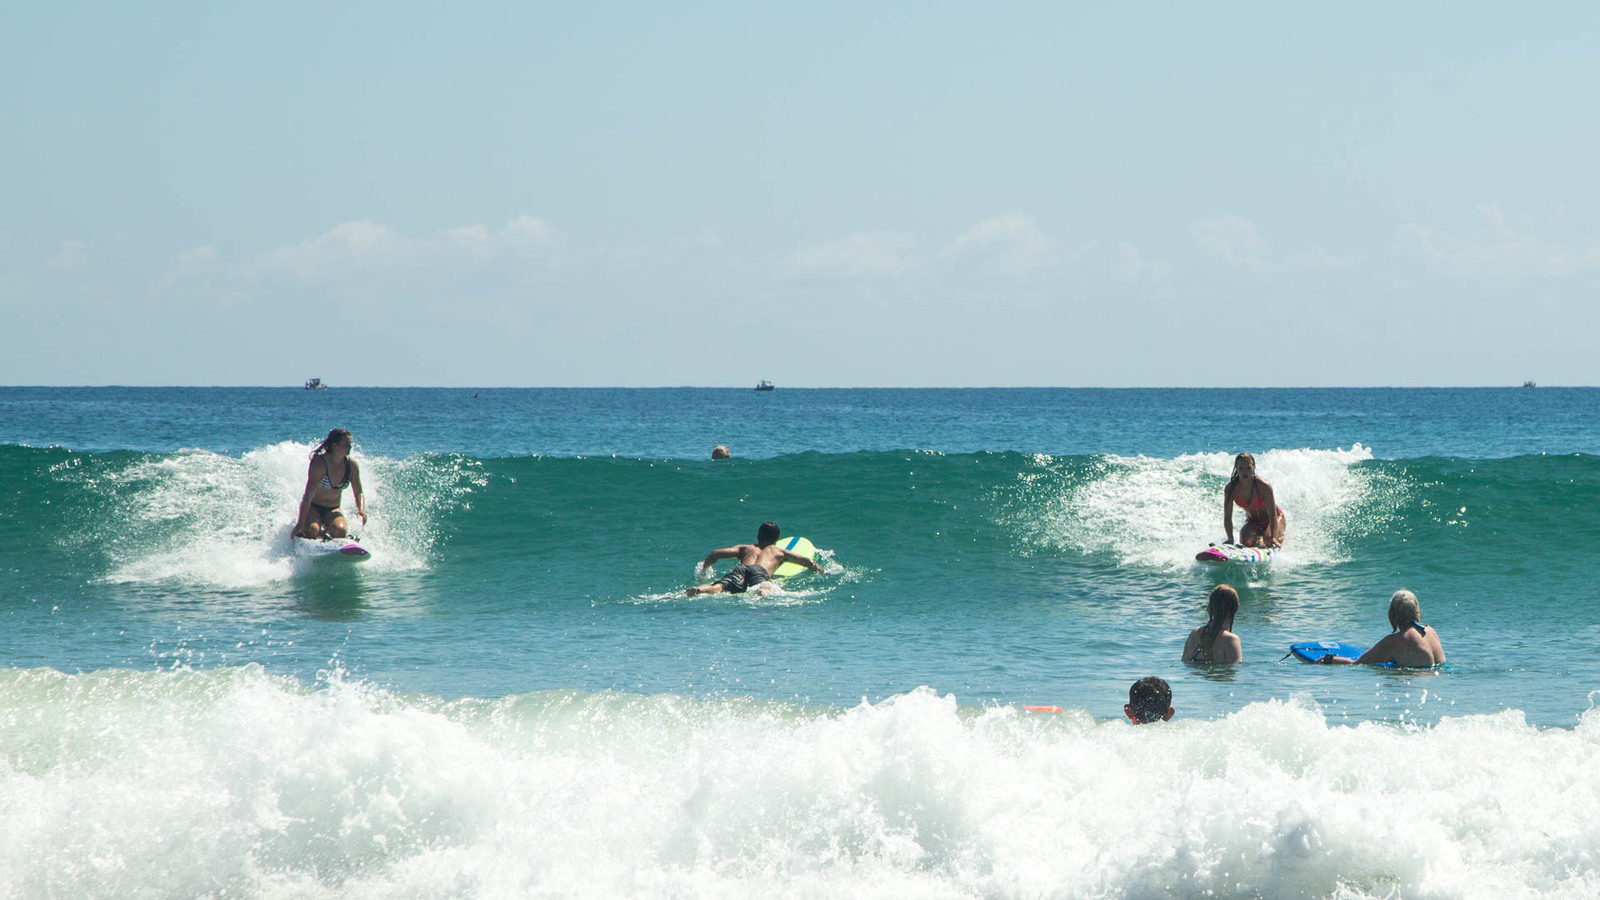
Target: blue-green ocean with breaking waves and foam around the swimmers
pixel 514 699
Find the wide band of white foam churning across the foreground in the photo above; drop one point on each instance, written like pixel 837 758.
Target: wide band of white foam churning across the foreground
pixel 239 784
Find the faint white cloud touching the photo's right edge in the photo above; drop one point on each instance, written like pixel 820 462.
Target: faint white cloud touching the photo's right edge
pixel 1497 247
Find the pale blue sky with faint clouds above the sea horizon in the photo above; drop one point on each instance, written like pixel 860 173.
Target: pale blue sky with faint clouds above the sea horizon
pixel 817 195
